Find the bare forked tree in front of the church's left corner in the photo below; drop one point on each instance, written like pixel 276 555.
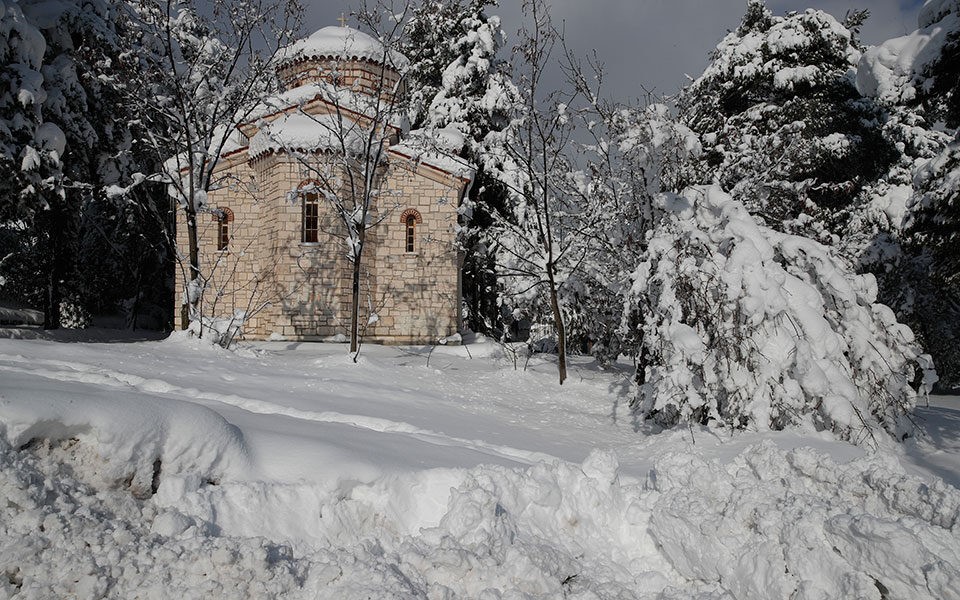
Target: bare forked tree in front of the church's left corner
pixel 203 73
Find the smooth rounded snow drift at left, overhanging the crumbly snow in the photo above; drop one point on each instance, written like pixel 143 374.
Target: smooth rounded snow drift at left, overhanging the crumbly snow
pixel 141 439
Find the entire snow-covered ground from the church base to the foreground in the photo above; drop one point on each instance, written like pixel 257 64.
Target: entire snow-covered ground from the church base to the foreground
pixel 167 468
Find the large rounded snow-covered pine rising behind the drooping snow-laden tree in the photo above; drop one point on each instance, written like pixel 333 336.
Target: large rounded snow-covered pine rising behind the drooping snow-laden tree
pixel 782 123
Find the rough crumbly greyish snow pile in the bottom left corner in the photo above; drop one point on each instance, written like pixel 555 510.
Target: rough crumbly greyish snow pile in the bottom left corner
pixel 63 535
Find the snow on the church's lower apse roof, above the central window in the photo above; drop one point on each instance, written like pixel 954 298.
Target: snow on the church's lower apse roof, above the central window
pixel 308 133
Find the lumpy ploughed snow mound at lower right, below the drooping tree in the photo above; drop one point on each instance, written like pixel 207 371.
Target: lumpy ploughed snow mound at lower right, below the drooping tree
pixel 794 524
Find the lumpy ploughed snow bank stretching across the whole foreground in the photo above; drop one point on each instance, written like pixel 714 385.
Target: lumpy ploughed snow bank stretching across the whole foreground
pixel 770 524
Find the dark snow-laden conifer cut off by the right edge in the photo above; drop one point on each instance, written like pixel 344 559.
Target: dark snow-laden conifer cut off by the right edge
pixel 914 78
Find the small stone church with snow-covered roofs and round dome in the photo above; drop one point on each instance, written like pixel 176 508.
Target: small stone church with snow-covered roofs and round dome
pixel 272 249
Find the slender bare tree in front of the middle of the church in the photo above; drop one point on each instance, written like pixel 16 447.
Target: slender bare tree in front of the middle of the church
pixel 351 131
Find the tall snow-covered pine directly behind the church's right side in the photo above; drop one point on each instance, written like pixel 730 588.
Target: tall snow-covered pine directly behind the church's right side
pixel 459 81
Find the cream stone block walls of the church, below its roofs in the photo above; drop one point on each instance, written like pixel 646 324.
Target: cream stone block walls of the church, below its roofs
pixel 302 291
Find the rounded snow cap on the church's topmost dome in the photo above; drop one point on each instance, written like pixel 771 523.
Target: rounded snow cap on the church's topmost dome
pixel 342 43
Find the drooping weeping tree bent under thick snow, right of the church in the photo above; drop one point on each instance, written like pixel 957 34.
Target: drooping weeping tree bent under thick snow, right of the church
pixel 749 327
